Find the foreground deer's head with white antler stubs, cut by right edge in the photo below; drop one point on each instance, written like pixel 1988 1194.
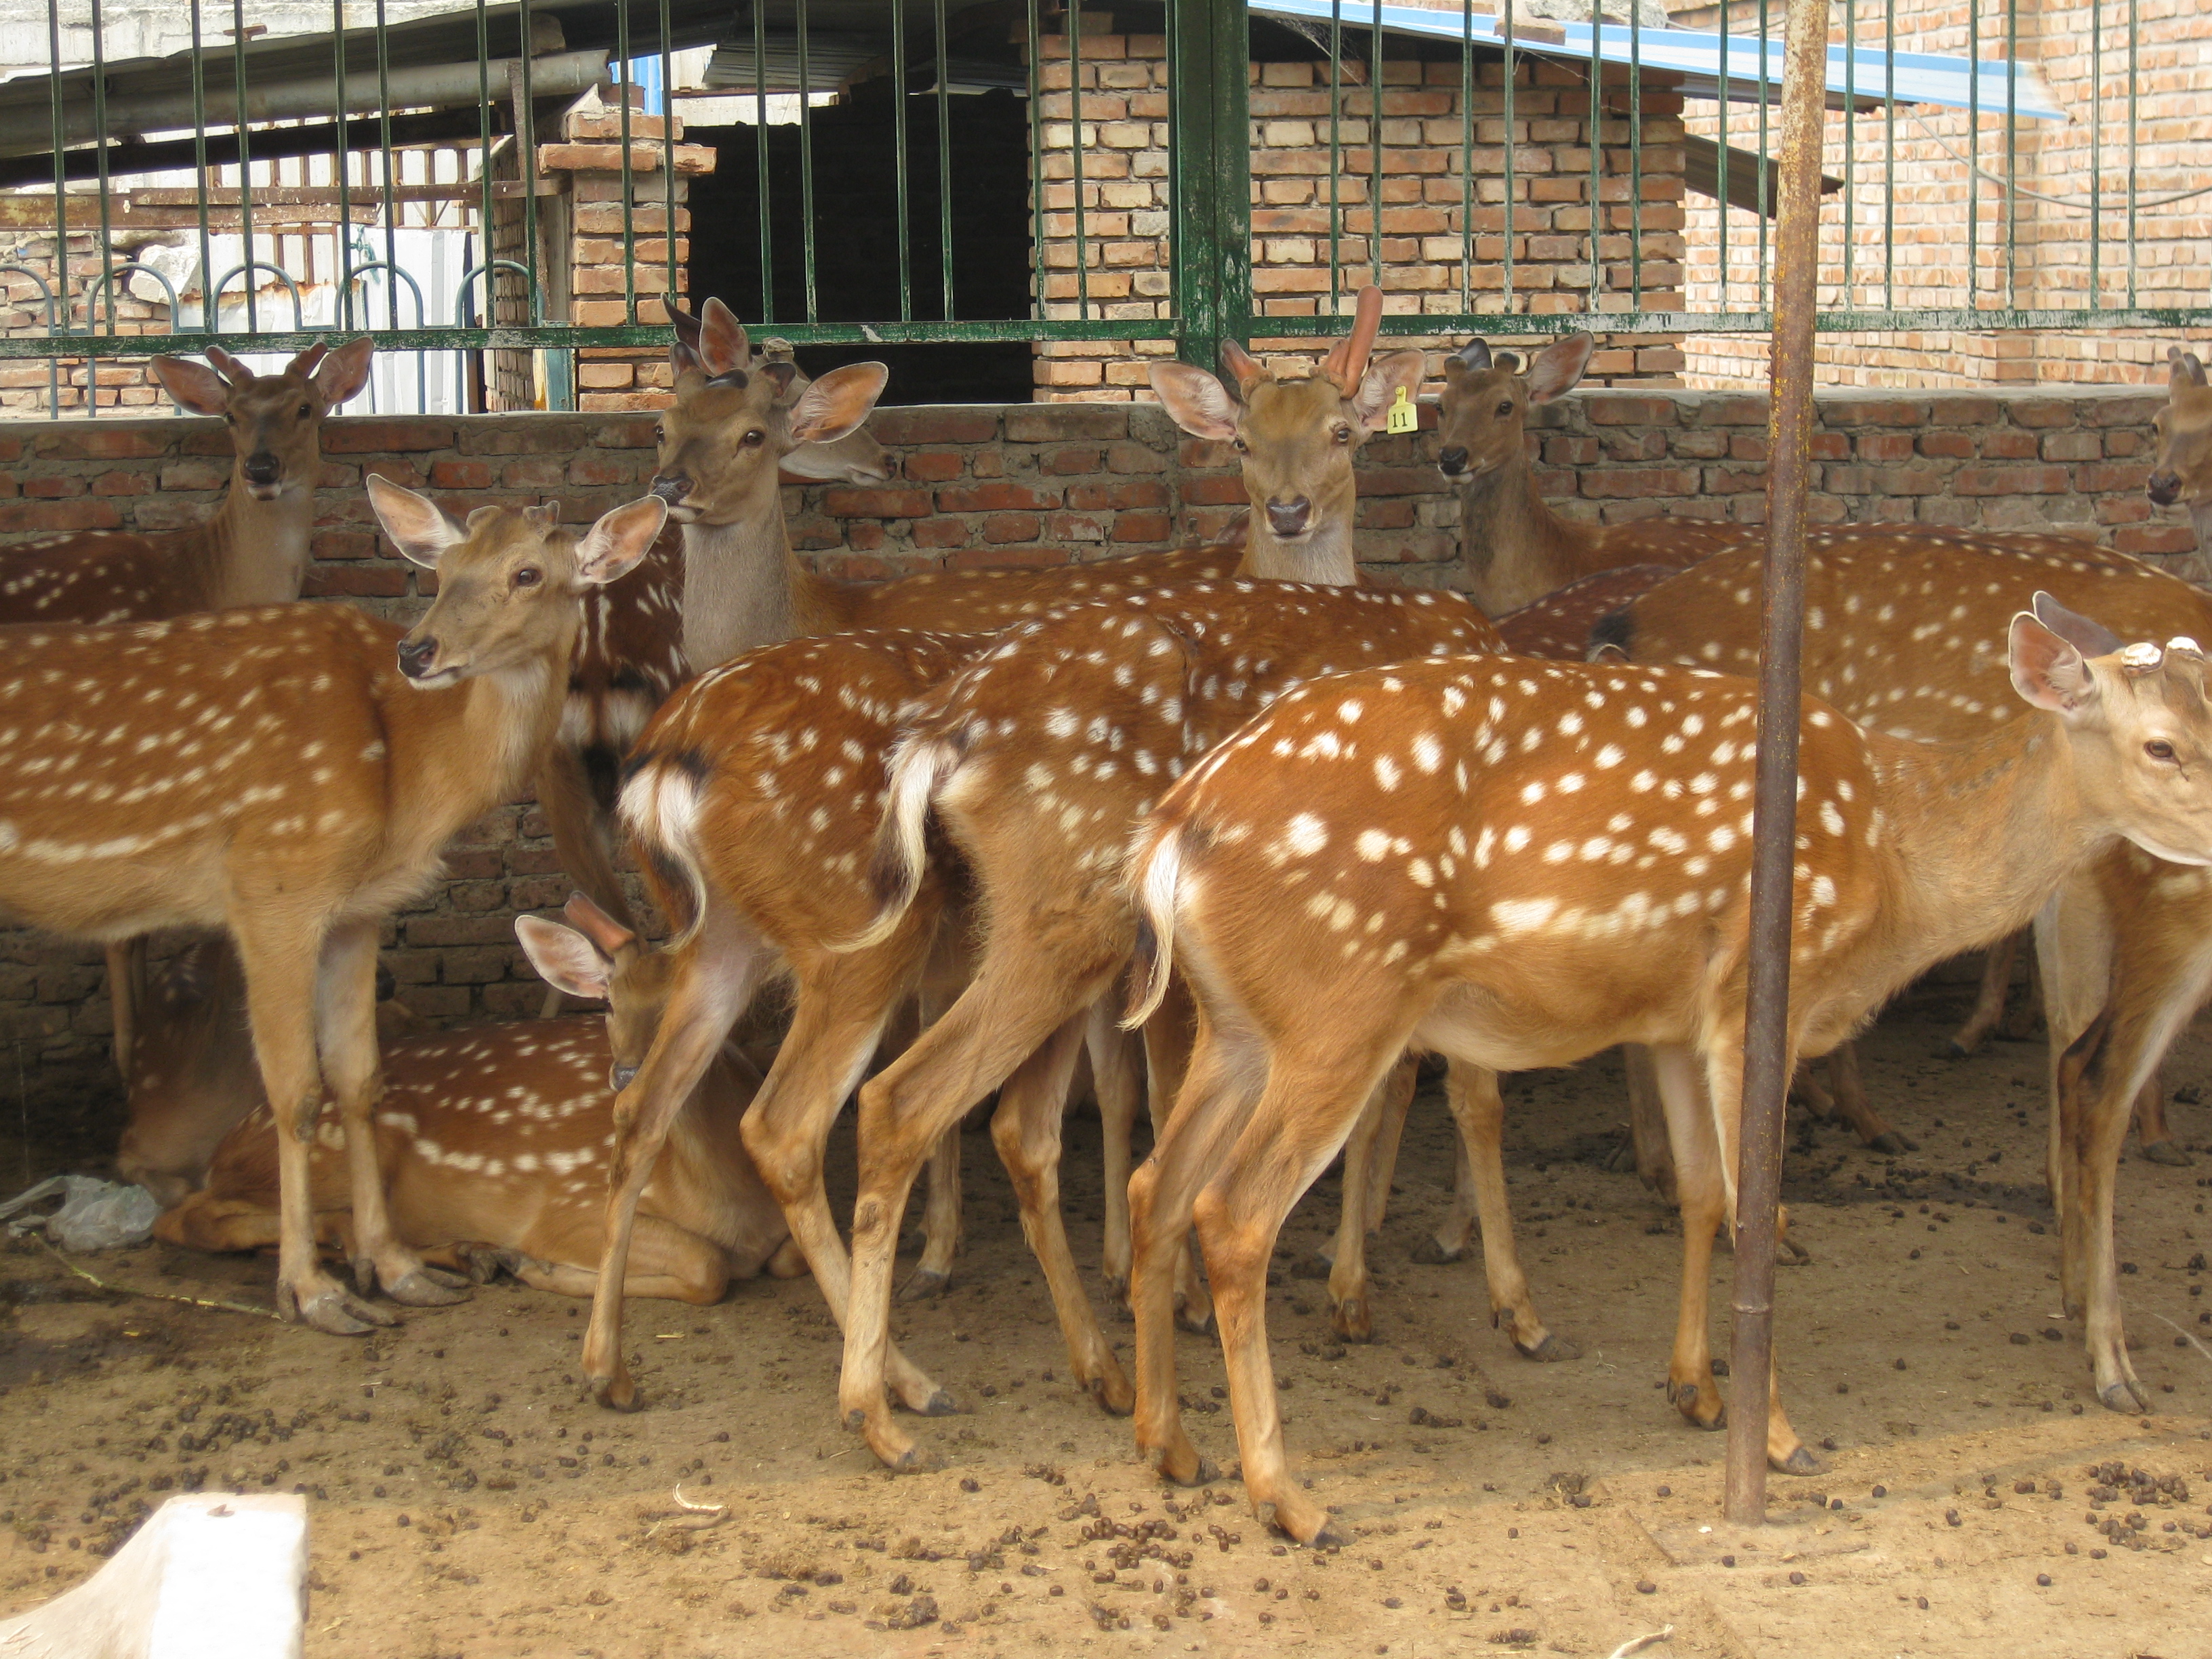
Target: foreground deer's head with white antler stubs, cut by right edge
pixel 2136 718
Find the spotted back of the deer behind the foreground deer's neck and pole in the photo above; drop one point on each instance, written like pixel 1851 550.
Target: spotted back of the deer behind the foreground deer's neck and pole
pixel 1906 629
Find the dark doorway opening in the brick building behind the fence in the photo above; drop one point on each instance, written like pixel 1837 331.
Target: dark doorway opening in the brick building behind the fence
pixel 857 236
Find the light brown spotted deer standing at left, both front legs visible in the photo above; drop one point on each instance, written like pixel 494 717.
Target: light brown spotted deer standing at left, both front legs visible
pixel 291 775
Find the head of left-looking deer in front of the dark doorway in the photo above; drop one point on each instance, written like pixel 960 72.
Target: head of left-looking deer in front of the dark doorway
pixel 735 421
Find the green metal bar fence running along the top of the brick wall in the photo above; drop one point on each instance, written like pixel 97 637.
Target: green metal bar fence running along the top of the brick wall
pixel 486 85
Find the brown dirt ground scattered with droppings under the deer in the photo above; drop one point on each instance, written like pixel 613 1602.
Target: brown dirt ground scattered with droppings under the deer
pixel 466 1503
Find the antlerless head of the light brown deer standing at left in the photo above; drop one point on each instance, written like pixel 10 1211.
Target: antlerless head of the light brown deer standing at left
pixel 508 581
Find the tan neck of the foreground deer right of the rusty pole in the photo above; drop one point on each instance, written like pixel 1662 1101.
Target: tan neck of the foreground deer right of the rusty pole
pixel 1981 835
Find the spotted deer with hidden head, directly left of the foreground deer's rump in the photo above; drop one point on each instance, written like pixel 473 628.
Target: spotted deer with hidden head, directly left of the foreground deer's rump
pixel 1034 762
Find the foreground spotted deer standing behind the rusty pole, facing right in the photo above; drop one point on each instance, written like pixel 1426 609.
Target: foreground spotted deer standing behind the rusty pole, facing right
pixel 1525 864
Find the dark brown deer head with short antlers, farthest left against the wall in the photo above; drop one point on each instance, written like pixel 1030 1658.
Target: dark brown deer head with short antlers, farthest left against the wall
pixel 275 419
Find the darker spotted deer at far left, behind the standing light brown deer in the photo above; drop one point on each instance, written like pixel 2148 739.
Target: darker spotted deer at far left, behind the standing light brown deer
pixel 253 550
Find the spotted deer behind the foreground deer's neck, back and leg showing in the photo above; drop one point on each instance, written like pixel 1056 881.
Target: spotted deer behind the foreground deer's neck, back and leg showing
pixel 1890 638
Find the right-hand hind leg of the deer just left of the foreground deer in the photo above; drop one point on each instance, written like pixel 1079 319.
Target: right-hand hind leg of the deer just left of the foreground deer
pixel 1025 1129
